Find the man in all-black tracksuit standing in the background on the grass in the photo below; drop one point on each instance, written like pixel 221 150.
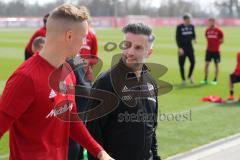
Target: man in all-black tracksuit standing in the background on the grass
pixel 185 34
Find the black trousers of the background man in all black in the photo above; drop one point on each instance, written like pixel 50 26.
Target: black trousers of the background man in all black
pixel 188 53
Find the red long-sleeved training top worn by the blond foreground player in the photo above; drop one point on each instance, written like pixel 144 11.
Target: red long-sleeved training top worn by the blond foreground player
pixel 30 109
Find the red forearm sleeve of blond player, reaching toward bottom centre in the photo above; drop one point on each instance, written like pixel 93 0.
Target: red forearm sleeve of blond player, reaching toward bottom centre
pixel 80 134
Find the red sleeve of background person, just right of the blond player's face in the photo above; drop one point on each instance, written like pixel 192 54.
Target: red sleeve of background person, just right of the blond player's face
pixel 94 50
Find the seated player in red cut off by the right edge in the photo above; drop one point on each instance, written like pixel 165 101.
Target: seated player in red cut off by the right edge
pixel 234 78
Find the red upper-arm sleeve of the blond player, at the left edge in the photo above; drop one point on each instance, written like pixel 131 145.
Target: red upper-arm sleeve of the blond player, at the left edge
pixel 17 95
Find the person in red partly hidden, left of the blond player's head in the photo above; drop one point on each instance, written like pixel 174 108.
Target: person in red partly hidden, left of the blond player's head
pixel 41 32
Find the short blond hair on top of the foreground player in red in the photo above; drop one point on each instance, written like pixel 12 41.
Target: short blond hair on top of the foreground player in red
pixel 70 12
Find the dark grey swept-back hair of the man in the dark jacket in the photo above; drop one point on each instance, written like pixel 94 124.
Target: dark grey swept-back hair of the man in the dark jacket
pixel 139 28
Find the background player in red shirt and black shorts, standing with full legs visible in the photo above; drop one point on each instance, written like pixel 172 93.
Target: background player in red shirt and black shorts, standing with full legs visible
pixel 215 37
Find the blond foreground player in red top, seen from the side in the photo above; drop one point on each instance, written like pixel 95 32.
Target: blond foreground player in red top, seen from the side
pixel 29 107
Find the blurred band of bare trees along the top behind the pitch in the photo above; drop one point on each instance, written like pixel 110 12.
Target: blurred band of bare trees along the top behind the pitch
pixel 167 8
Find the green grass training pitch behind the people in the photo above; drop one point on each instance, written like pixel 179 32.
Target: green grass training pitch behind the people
pixel 208 122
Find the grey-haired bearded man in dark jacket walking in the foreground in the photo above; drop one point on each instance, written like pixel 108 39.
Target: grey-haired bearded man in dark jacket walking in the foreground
pixel 129 131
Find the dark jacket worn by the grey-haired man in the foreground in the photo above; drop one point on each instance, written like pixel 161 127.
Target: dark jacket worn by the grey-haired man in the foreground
pixel 129 131
